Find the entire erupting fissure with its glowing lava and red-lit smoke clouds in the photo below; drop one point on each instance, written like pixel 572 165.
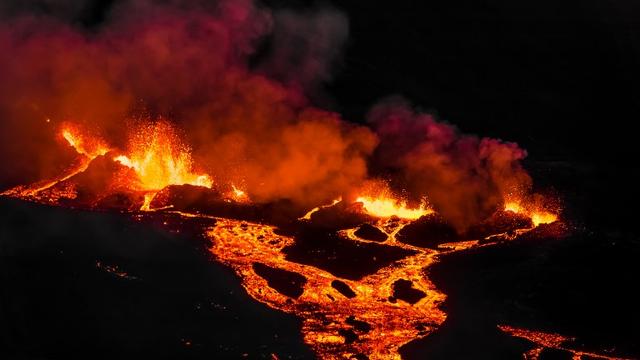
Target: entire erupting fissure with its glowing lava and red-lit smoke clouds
pixel 336 222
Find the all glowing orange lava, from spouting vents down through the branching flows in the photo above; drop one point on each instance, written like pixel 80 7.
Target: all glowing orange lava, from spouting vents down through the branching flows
pixel 368 316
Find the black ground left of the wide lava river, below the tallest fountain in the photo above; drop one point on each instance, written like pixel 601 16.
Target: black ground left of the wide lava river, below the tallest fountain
pixel 62 303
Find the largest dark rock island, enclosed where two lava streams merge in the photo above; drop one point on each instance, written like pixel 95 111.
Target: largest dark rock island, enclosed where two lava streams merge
pixel 344 258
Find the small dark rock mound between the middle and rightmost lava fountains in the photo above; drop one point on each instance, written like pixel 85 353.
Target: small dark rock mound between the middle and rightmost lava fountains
pixel 428 231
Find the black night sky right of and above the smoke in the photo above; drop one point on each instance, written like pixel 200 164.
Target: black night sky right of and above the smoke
pixel 557 77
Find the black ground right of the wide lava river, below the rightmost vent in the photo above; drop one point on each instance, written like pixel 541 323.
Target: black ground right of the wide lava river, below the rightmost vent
pixel 541 282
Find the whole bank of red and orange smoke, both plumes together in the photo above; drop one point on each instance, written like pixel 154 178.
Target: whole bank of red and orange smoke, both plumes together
pixel 237 78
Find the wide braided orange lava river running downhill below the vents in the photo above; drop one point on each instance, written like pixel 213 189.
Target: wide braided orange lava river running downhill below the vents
pixel 323 308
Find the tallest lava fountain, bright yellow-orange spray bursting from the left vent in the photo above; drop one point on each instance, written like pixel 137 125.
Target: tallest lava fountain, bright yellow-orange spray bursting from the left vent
pixel 160 159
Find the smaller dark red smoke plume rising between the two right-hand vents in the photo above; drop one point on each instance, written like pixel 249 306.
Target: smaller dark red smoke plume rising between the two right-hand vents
pixel 464 177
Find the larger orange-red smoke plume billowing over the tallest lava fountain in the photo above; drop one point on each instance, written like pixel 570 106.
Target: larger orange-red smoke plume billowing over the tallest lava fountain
pixel 189 63
